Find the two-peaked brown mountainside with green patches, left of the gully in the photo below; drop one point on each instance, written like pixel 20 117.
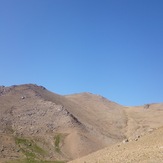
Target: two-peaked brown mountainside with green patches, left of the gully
pixel 63 128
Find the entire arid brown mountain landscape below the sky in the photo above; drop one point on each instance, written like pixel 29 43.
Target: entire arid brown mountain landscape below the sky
pixel 37 125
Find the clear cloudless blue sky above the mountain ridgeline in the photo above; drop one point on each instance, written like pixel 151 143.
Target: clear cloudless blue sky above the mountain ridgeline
pixel 109 47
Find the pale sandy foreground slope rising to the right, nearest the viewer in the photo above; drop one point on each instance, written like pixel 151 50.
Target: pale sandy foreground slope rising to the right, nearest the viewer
pixel 147 149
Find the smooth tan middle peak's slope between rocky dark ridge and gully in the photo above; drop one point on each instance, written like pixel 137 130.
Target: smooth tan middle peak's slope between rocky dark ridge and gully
pixel 103 115
